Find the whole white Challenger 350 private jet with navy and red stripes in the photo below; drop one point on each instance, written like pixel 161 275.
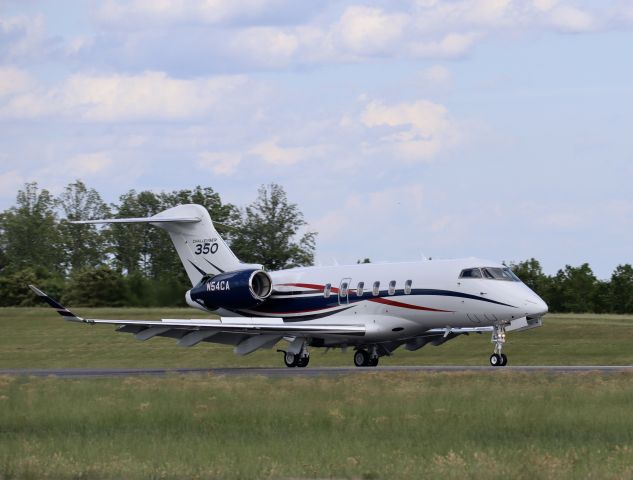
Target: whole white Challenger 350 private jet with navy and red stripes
pixel 374 308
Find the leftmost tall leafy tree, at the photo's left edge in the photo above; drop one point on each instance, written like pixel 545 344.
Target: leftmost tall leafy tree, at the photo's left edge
pixel 29 234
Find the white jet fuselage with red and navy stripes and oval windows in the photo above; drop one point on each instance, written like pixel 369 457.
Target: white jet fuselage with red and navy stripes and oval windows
pixel 409 299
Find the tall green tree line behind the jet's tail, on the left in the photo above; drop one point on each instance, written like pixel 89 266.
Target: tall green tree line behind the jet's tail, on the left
pixel 134 264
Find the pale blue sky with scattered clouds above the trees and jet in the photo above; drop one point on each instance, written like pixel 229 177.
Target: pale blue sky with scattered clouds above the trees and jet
pixel 402 129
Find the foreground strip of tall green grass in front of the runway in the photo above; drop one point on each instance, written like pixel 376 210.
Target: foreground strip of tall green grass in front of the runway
pixel 378 425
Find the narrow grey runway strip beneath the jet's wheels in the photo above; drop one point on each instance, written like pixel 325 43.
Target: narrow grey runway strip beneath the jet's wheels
pixel 307 372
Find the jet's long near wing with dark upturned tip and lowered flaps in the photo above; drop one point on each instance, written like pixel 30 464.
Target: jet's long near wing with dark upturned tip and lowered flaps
pixel 231 330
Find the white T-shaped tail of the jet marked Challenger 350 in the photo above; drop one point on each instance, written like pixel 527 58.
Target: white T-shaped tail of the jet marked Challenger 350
pixel 199 246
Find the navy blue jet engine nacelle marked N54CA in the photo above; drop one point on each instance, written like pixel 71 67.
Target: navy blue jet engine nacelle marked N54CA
pixel 231 290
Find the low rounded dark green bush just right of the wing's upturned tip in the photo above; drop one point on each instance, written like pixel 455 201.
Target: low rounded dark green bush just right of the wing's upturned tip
pixel 96 287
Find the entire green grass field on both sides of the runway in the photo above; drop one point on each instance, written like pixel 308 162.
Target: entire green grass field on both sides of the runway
pixel 496 424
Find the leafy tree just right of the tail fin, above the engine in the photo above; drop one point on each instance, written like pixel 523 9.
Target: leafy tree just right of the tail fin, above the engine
pixel 268 232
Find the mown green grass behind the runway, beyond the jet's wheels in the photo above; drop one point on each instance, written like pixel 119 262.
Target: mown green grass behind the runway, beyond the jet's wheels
pixel 39 338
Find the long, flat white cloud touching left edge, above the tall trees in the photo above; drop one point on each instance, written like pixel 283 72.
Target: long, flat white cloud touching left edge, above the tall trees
pixel 112 98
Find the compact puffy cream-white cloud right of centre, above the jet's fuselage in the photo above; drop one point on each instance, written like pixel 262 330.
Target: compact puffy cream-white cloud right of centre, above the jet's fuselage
pixel 417 131
